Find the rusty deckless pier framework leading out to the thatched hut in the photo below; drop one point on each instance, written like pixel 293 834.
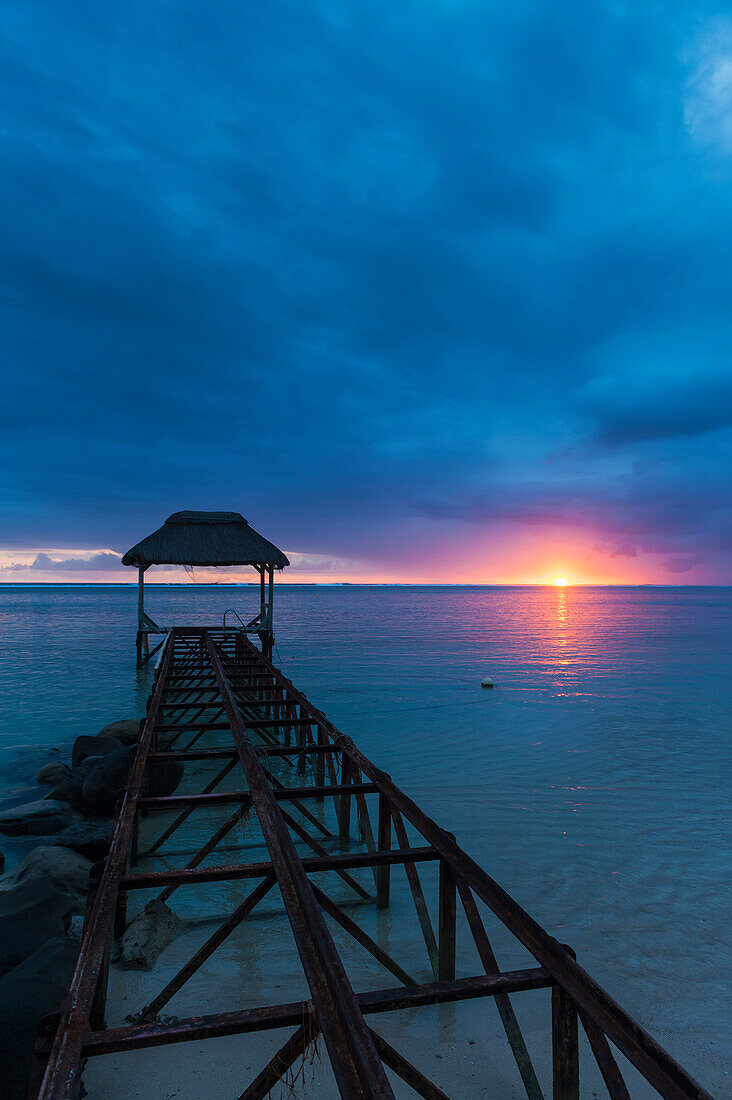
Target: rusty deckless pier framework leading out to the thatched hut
pixel 218 700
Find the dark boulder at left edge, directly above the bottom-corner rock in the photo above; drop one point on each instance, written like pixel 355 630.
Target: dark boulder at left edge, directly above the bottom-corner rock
pixel 30 915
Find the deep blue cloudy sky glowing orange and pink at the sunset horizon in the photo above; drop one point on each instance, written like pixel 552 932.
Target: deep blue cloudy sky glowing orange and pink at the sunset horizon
pixel 434 291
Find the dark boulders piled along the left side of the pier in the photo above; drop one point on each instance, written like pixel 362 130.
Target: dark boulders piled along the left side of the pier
pixel 43 899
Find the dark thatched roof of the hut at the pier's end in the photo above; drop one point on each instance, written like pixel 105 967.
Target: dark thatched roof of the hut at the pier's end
pixel 205 538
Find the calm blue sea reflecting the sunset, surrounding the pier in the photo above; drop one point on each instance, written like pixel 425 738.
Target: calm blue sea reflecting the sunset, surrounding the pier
pixel 593 782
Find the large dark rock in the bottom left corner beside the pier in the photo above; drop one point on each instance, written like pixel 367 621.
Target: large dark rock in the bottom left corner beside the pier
pixel 29 993
